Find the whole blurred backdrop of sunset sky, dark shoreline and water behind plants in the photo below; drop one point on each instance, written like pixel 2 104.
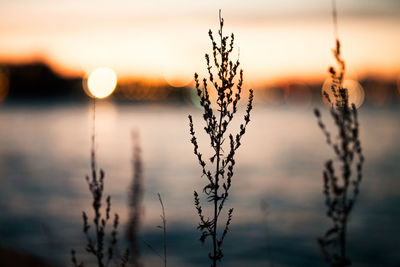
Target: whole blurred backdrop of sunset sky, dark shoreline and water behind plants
pixel 56 55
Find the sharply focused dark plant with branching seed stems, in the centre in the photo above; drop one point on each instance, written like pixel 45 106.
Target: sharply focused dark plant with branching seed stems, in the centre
pixel 217 122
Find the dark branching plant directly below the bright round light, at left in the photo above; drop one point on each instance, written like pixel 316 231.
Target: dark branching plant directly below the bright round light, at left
pixel 96 245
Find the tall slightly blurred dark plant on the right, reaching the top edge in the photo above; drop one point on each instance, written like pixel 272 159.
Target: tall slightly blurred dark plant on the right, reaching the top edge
pixel 341 190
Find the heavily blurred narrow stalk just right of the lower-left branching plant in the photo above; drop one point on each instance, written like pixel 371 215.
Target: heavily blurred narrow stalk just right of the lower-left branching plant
pixel 135 201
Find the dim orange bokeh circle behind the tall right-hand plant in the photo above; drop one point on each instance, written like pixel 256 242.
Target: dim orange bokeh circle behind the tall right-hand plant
pixel 355 91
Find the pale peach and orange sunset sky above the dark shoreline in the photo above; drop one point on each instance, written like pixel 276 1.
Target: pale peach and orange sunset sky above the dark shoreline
pixel 278 39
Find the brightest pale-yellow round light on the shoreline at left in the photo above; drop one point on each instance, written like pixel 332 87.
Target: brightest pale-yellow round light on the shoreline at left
pixel 101 82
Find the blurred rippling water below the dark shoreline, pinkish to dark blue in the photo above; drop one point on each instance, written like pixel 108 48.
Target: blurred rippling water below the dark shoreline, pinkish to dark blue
pixel 44 156
